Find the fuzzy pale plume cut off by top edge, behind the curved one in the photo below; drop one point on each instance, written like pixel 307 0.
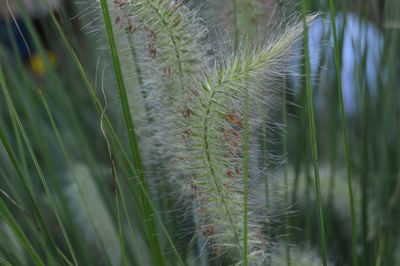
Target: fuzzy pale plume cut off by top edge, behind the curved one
pixel 164 54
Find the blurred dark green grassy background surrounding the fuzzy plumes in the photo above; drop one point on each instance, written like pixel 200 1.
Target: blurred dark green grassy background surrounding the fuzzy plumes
pixel 56 78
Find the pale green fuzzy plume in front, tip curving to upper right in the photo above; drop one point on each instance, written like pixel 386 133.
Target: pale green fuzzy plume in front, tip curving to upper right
pixel 217 140
